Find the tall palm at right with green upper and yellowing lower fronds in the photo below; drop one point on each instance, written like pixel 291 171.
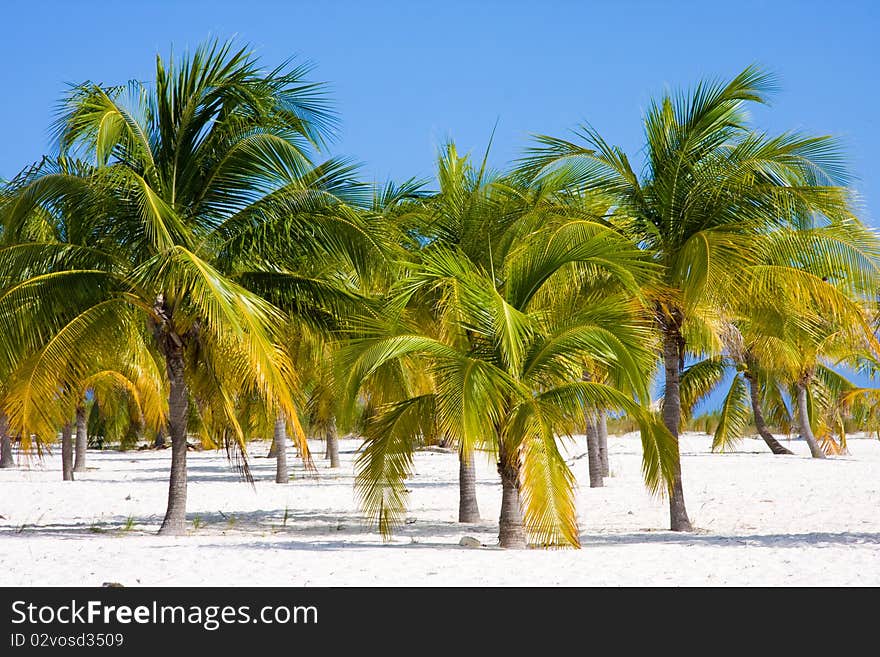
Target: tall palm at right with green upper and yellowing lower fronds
pixel 710 190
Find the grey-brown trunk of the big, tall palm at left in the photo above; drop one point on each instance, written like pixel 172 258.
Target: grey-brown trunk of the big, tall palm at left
pixel 178 409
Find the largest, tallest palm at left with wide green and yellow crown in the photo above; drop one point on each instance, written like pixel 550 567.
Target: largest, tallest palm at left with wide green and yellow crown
pixel 197 182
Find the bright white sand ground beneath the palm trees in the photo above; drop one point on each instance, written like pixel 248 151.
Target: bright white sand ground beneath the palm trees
pixel 761 519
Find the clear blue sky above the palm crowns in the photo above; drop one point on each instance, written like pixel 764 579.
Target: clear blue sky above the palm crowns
pixel 408 75
